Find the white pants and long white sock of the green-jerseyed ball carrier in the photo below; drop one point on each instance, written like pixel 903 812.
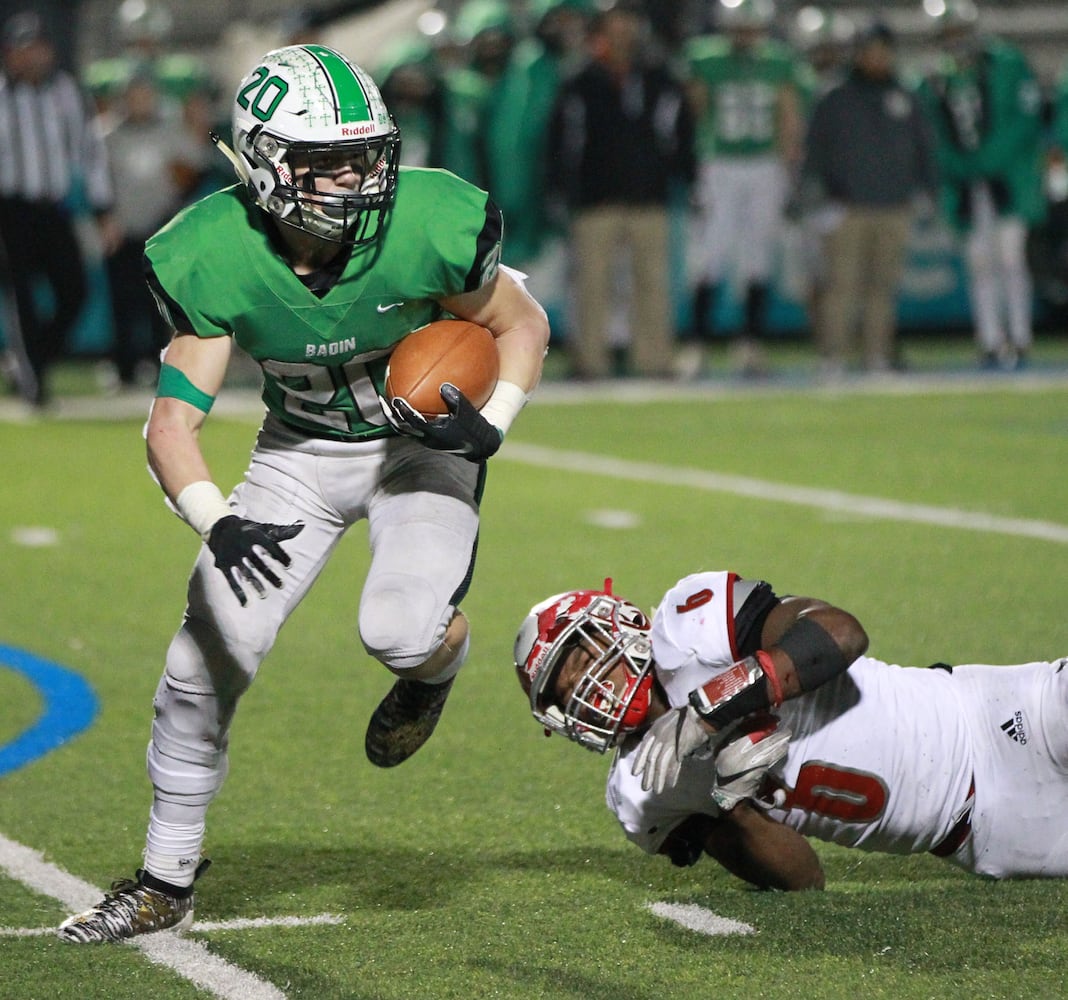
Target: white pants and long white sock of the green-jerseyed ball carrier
pixel 422 509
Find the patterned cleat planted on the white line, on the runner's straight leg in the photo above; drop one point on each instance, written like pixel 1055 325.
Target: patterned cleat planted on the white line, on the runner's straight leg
pixel 134 907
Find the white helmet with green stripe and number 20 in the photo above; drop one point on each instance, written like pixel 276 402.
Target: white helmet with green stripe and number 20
pixel 308 106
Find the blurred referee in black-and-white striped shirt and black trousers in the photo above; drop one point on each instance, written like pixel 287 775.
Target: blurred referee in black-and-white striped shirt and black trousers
pixel 49 143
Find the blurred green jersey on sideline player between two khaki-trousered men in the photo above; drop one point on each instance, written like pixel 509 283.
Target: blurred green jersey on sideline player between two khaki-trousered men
pixel 742 117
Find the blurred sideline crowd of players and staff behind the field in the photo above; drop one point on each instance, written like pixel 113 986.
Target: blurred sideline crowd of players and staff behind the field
pixel 680 179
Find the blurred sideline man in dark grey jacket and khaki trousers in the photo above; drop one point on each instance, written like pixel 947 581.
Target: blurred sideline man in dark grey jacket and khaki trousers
pixel 869 157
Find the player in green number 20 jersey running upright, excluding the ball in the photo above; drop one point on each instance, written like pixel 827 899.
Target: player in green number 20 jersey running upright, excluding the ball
pixel 317 265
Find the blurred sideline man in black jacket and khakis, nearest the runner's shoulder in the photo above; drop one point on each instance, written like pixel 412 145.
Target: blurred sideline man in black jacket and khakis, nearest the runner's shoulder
pixel 621 136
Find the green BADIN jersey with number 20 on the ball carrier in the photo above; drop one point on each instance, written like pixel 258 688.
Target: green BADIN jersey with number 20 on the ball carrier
pixel 216 270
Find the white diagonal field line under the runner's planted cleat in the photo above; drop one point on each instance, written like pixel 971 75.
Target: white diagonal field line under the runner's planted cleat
pixel 191 960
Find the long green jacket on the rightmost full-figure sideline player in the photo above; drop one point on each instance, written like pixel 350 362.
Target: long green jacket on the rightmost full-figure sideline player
pixel 987 121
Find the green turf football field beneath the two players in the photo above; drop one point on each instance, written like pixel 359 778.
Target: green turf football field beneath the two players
pixel 489 866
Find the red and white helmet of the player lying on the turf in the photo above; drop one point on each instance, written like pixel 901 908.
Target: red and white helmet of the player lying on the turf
pixel 596 716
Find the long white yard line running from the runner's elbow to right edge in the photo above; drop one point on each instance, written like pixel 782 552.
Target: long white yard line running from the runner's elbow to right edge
pixel 826 501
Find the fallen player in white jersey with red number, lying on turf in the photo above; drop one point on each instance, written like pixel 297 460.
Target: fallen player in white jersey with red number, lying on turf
pixel 969 763
